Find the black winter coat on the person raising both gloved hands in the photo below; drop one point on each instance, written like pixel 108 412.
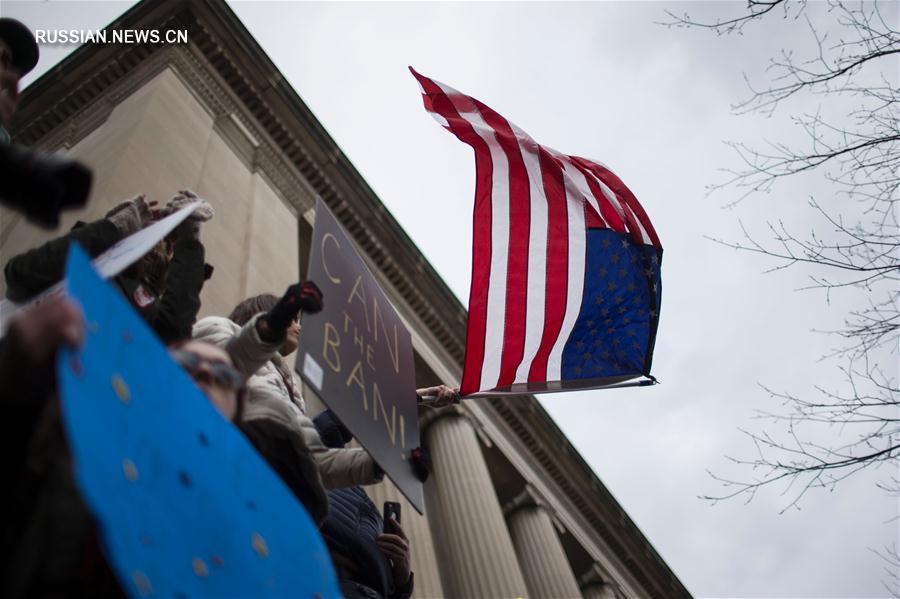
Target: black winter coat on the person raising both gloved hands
pixel 170 315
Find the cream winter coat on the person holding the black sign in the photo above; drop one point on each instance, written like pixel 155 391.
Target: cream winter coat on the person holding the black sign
pixel 274 393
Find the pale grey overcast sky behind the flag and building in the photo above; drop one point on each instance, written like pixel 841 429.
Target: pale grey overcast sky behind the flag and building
pixel 602 80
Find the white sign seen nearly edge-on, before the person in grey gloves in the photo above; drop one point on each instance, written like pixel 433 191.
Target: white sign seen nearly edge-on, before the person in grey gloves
pixel 114 260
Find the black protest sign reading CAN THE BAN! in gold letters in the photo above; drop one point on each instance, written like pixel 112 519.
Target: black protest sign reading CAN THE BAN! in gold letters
pixel 357 354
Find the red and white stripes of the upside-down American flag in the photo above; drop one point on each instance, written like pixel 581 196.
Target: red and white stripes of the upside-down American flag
pixel 529 241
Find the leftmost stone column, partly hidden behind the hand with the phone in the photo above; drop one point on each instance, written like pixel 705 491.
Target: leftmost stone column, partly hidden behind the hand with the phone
pixel 425 569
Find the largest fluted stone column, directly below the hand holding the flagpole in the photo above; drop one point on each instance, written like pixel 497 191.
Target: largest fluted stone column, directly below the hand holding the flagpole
pixel 482 561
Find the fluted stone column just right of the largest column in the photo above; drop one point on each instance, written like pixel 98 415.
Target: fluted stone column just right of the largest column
pixel 541 554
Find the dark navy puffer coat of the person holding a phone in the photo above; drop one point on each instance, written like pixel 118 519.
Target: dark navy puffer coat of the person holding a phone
pixel 353 524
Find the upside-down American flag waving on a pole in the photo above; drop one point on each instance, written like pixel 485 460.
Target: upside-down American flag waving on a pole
pixel 566 285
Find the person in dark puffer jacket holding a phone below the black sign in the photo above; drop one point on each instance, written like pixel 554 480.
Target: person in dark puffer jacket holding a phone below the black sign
pixel 371 564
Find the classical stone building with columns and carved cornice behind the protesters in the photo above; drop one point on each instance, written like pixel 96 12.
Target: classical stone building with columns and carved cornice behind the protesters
pixel 512 510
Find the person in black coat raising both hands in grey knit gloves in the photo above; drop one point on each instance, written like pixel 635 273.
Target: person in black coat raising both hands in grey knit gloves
pixel 164 286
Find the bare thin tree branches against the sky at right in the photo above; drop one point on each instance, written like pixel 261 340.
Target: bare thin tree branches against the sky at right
pixel 817 439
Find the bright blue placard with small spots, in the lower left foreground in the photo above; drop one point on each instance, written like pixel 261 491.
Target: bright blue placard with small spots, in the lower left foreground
pixel 185 505
